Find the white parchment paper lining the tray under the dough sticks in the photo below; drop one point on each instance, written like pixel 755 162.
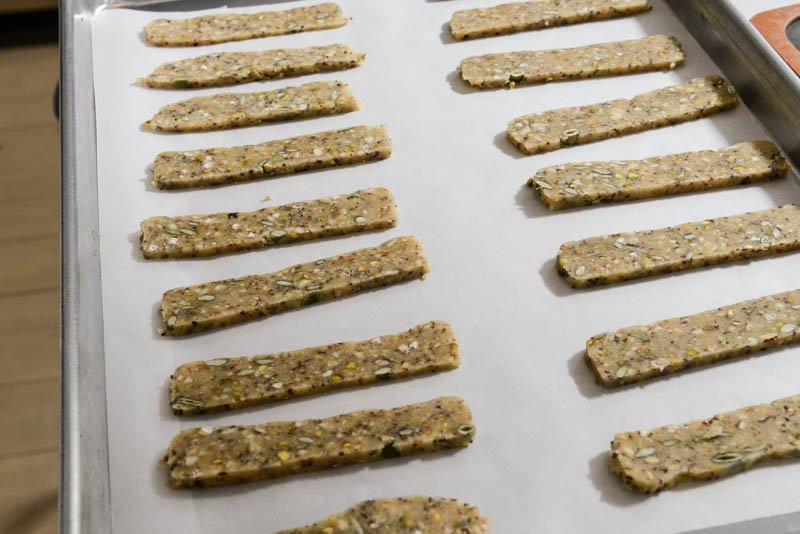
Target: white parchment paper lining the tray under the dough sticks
pixel 539 460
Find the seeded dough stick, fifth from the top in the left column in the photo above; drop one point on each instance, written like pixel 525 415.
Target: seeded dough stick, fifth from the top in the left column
pixel 189 236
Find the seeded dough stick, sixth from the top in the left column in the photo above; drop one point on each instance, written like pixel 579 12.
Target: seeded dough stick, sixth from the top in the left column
pixel 187 310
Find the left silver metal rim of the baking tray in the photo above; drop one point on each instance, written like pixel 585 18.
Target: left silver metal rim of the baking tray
pixel 84 492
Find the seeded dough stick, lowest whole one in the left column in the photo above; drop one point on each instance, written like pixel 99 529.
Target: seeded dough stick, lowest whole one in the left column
pixel 214 456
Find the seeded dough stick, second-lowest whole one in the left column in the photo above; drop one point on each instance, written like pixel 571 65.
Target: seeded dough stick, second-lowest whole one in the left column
pixel 233 383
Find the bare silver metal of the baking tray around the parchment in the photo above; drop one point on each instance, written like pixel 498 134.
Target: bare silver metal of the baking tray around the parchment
pixel 86 498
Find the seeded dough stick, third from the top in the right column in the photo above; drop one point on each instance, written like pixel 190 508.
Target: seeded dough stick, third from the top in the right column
pixel 558 128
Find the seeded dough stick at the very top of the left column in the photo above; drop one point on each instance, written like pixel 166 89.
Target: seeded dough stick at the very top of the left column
pixel 210 29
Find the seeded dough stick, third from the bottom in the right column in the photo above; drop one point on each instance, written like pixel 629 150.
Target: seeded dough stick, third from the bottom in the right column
pixel 614 258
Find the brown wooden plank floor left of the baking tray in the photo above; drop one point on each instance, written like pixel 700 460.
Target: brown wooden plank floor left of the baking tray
pixel 29 293
